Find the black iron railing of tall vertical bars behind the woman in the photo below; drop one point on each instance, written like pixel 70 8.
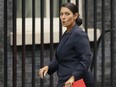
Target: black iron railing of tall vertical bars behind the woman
pixel 42 45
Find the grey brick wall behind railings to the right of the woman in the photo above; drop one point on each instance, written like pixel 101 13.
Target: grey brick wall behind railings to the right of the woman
pixel 107 37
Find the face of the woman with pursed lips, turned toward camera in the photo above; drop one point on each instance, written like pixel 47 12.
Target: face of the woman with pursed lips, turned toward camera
pixel 67 17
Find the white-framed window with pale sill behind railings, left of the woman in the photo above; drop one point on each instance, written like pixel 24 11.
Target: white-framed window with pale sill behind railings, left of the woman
pixel 28 24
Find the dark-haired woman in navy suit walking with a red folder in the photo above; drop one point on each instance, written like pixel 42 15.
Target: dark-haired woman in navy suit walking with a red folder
pixel 73 55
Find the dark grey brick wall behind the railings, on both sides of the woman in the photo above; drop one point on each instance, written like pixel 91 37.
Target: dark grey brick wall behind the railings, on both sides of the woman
pixel 46 54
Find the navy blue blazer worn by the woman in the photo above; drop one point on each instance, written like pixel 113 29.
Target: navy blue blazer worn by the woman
pixel 73 54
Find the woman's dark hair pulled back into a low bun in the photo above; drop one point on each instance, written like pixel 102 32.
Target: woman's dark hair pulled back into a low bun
pixel 74 9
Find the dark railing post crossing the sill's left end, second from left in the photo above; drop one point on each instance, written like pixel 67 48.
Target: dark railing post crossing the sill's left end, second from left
pixel 14 44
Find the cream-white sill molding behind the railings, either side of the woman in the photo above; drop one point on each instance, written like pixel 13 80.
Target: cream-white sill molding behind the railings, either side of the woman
pixel 28 35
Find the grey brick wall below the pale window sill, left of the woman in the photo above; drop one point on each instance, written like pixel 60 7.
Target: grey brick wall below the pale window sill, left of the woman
pixel 28 66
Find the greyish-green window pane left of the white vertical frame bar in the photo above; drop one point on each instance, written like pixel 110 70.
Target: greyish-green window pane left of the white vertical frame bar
pixel 28 8
